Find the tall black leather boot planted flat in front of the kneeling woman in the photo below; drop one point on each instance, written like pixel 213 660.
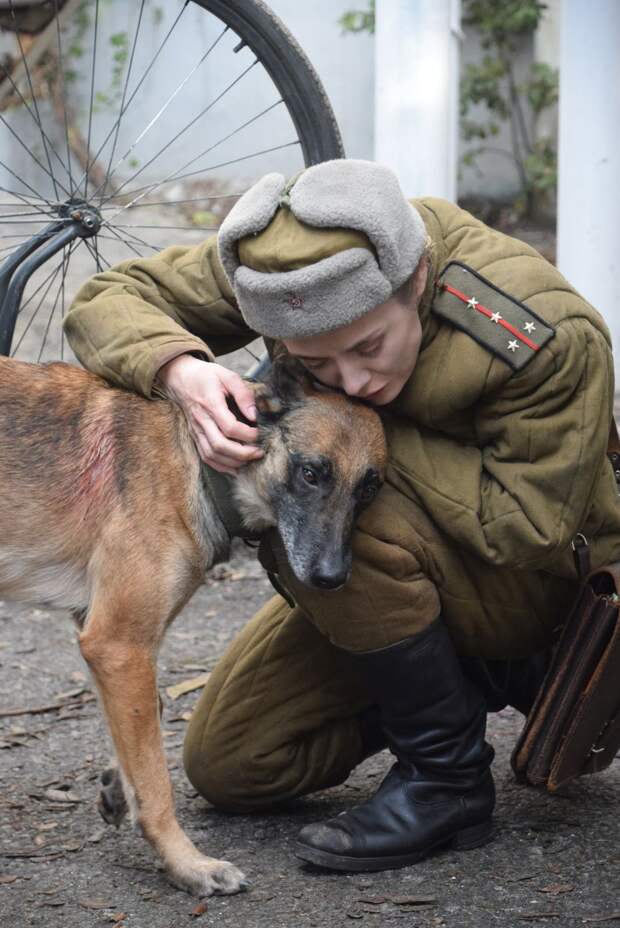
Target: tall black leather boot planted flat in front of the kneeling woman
pixel 440 791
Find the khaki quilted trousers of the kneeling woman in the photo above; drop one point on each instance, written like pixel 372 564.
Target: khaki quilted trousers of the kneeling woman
pixel 278 717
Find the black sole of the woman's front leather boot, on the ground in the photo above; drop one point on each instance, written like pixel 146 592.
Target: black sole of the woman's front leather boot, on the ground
pixel 465 840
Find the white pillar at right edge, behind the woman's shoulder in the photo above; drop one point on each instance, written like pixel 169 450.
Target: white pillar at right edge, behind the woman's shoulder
pixel 589 155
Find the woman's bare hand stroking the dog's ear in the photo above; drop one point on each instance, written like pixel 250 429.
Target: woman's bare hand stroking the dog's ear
pixel 200 388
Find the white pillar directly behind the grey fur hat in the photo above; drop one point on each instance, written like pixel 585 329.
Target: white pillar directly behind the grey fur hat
pixel 416 93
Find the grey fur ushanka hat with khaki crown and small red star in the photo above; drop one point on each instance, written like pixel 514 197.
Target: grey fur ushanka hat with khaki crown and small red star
pixel 312 254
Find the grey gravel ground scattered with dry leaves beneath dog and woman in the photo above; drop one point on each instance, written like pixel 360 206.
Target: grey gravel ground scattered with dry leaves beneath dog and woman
pixel 554 859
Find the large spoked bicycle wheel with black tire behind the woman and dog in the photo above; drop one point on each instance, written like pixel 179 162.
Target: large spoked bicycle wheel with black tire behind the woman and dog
pixel 106 156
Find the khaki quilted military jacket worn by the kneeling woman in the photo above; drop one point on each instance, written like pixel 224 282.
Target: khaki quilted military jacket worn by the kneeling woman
pixel 510 463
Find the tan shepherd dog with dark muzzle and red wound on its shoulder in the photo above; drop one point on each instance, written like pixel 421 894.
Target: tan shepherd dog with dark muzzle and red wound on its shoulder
pixel 103 512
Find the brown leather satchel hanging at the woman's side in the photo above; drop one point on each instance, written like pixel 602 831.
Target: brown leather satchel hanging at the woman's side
pixel 574 725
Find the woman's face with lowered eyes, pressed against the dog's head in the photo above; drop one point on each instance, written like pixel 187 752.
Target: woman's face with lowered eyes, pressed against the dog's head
pixel 373 357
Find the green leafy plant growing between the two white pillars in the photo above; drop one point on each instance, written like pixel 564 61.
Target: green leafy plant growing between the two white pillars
pixel 503 27
